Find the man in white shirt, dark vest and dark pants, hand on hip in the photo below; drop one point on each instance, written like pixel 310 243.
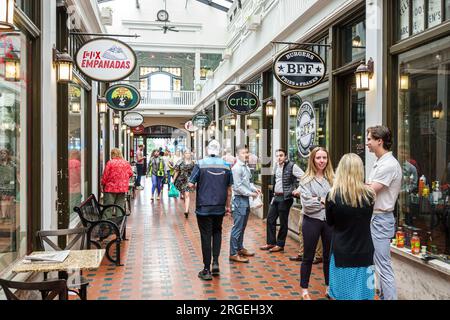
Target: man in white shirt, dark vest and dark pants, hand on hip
pixel 285 182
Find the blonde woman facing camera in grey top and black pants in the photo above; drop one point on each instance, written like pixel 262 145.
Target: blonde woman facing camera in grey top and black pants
pixel 314 187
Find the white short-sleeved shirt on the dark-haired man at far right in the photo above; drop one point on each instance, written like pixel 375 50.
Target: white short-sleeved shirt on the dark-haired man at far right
pixel 388 172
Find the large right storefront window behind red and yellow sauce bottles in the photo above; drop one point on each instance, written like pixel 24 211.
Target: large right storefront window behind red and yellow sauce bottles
pixel 424 144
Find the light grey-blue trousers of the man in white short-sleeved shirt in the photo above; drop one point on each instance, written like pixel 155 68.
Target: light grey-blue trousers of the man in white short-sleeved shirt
pixel 383 229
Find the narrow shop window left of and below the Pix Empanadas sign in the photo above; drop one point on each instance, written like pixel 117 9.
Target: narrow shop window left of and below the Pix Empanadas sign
pixel 76 146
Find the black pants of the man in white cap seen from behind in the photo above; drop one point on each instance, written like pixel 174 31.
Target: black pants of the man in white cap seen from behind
pixel 210 227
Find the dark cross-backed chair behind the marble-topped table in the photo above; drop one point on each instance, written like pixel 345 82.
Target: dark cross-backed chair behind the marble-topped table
pixel 79 235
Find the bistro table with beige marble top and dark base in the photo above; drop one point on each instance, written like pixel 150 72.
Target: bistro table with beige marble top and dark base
pixel 77 260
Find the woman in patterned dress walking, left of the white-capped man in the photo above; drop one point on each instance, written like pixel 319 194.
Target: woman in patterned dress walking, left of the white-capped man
pixel 183 170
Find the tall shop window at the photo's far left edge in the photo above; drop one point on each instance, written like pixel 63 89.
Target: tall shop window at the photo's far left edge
pixel 13 177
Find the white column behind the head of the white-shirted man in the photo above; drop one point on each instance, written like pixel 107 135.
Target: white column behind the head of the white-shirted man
pixel 375 110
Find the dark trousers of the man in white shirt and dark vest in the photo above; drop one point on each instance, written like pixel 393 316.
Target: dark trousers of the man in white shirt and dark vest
pixel 278 208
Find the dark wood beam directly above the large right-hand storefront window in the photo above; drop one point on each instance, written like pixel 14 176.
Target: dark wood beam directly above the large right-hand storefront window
pixel 422 38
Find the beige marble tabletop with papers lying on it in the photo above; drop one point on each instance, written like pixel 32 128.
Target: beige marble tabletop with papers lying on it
pixel 77 260
